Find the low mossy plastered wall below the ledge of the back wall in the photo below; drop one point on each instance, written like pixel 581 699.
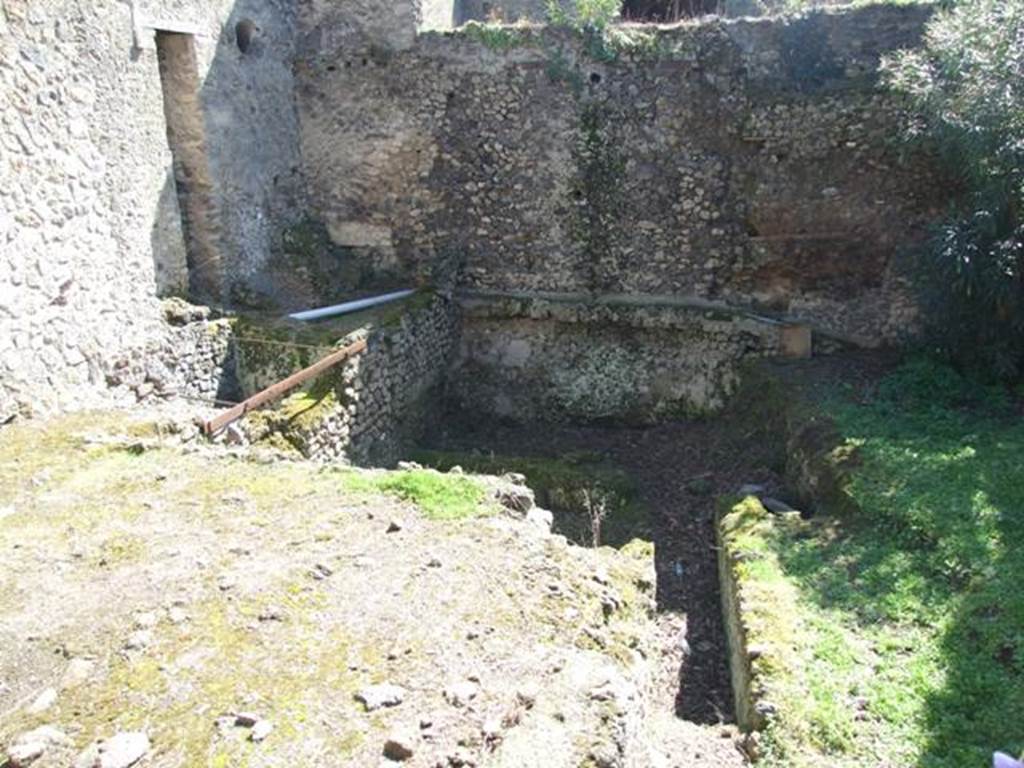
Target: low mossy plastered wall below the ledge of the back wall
pixel 543 360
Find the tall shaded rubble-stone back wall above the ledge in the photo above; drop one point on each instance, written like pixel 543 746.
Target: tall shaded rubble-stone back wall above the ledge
pixel 747 162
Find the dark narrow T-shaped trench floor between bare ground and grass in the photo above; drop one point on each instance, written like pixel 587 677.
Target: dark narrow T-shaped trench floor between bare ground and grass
pixel 678 472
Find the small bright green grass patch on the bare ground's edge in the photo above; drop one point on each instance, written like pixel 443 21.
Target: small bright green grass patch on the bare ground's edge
pixel 440 497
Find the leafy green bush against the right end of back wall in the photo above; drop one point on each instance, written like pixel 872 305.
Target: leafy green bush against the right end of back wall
pixel 968 84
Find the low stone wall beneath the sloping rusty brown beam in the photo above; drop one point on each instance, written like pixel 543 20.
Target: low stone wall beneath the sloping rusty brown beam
pixel 368 409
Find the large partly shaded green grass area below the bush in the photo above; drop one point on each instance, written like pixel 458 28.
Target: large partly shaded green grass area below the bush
pixel 915 605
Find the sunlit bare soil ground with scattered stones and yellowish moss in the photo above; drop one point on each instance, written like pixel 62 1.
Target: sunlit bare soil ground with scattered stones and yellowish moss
pixel 185 593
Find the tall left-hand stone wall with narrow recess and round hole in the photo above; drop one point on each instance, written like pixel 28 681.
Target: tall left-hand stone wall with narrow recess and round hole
pixel 91 230
